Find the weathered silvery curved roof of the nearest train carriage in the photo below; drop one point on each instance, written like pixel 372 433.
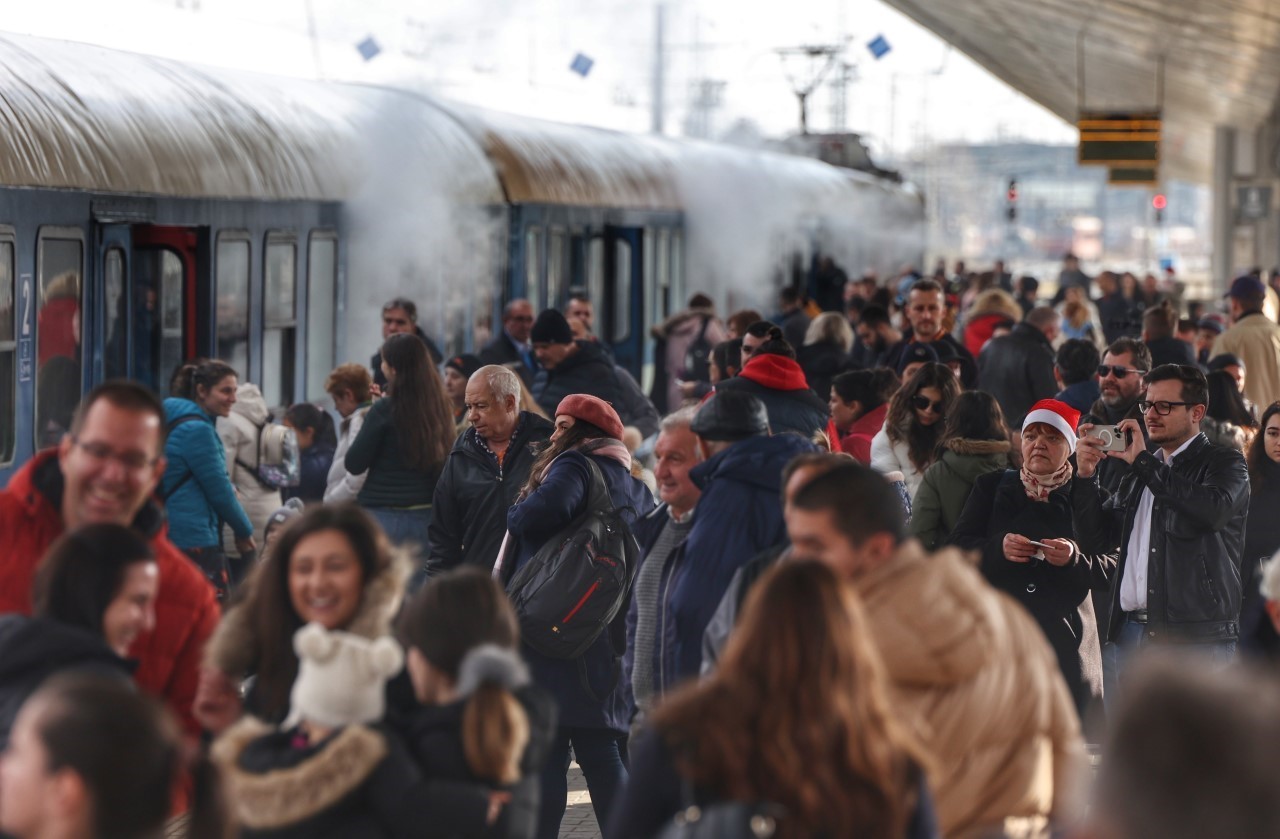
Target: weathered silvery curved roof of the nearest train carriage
pixel 83 117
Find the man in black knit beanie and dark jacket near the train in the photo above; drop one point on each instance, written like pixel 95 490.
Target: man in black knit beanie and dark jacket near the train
pixel 570 367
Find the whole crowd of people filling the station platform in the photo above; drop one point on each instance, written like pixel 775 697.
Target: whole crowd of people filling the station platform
pixel 890 563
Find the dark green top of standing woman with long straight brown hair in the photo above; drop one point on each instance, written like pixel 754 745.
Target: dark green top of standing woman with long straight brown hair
pixel 377 450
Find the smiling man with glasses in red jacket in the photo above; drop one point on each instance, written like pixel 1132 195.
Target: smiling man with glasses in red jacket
pixel 106 471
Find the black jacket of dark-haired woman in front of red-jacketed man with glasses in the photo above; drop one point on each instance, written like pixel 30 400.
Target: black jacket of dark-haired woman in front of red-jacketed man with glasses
pixel 34 649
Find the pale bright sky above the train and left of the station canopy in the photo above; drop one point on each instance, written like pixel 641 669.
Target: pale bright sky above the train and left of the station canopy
pixel 516 56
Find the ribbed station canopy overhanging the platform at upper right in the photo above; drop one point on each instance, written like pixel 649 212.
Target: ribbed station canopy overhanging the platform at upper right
pixel 1220 61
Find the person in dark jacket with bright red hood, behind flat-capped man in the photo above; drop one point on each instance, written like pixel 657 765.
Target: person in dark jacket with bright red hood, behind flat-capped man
pixel 774 377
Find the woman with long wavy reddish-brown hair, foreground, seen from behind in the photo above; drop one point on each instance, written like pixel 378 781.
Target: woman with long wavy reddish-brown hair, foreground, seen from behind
pixel 794 728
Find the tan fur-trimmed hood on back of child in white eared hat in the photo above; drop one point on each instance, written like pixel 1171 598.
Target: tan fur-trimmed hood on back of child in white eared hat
pixel 271 790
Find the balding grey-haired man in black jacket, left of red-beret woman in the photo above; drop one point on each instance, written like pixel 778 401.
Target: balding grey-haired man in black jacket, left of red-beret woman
pixel 483 475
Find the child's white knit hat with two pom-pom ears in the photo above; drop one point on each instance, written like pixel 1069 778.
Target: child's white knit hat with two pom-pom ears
pixel 341 677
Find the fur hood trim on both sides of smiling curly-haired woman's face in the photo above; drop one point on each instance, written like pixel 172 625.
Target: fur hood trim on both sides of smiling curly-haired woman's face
pixel 234 648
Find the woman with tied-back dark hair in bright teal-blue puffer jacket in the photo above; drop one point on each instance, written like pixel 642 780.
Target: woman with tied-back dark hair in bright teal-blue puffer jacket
pixel 198 493
